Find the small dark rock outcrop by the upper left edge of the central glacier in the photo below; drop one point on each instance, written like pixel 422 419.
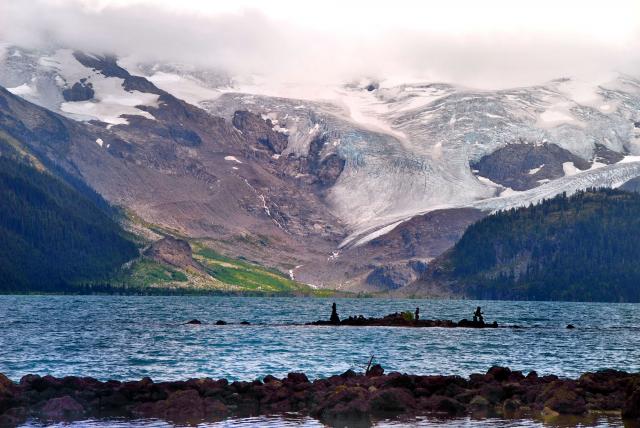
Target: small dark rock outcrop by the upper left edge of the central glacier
pixel 260 132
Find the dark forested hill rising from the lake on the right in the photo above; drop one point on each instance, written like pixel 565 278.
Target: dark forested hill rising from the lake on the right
pixel 582 247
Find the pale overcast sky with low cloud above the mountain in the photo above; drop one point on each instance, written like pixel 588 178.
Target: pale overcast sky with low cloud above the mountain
pixel 482 44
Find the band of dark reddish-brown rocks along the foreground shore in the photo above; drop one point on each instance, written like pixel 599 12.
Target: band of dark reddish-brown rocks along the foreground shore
pixel 348 399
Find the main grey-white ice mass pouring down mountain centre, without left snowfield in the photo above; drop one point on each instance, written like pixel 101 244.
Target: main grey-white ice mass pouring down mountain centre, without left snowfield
pixel 408 148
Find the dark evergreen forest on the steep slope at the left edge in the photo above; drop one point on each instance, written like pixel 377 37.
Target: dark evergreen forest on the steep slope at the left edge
pixel 51 235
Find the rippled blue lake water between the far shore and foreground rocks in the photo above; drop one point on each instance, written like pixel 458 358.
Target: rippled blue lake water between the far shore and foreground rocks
pixel 128 337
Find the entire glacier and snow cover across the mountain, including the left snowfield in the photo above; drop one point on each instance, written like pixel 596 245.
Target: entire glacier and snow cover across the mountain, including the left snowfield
pixel 407 147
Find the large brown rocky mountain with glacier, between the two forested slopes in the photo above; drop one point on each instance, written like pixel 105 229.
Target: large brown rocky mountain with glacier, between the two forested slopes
pixel 356 186
